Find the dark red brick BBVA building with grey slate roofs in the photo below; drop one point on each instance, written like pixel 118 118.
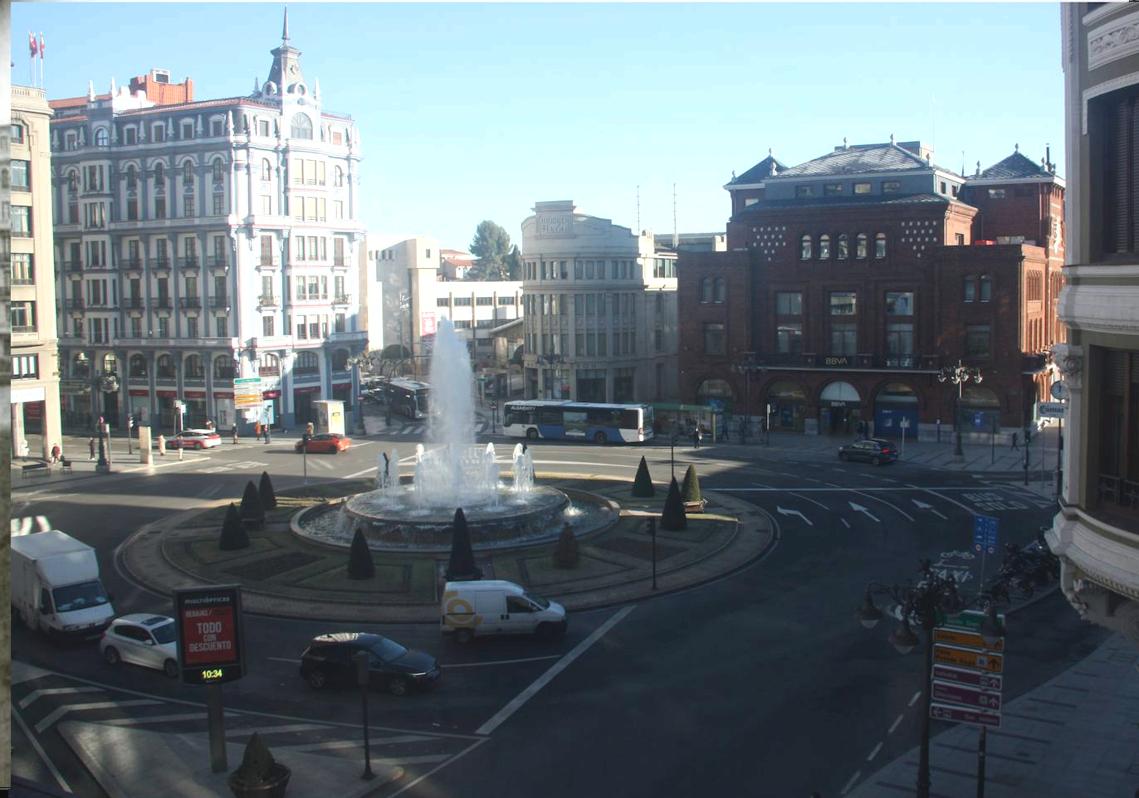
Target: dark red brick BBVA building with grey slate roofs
pixel 854 278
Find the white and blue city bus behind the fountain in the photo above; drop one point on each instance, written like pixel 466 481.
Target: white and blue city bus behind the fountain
pixel 561 421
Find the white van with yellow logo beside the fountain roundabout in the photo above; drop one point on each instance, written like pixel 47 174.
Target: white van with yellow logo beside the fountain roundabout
pixel 498 607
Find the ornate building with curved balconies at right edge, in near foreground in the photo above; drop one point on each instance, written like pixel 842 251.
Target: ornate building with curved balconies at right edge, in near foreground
pixel 1096 533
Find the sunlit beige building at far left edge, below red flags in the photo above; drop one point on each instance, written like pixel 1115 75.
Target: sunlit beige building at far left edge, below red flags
pixel 35 343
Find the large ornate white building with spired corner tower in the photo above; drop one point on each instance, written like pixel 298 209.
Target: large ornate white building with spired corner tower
pixel 198 242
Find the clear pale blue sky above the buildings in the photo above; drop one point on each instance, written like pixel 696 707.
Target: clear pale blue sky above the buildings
pixel 472 112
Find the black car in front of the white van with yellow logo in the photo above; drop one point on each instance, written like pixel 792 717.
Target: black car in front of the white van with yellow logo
pixel 329 661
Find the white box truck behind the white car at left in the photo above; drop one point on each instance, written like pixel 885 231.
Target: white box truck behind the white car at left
pixel 56 588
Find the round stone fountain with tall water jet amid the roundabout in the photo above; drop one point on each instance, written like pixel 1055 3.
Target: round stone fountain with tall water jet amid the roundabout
pixel 453 472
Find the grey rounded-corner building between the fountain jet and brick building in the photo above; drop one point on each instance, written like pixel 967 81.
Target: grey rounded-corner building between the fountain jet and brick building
pixel 600 308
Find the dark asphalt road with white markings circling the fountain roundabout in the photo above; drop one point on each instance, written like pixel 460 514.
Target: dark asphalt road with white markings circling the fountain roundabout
pixel 760 685
